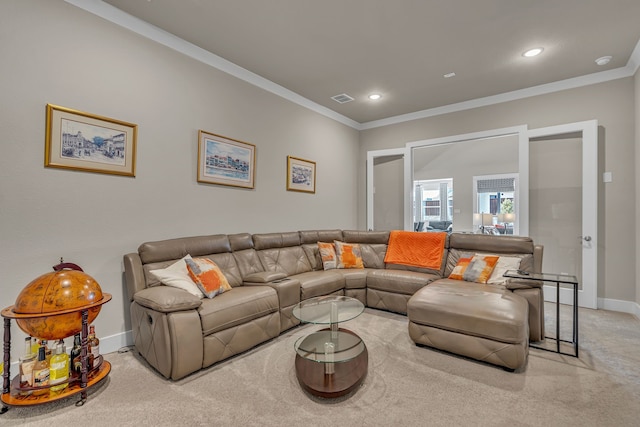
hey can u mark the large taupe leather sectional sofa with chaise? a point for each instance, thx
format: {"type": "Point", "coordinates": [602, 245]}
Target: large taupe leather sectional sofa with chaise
{"type": "Point", "coordinates": [179, 333]}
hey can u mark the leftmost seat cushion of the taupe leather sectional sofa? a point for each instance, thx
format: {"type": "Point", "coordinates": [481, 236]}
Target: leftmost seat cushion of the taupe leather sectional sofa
{"type": "Point", "coordinates": [237, 306]}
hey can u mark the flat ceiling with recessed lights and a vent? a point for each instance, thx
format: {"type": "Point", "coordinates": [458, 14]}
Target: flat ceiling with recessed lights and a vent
{"type": "Point", "coordinates": [402, 48]}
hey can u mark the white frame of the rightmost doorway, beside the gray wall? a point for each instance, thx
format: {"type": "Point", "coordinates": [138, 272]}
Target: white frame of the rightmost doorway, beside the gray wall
{"type": "Point", "coordinates": [588, 295]}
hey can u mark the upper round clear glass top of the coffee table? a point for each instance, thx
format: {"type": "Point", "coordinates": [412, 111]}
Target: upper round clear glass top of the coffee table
{"type": "Point", "coordinates": [319, 310]}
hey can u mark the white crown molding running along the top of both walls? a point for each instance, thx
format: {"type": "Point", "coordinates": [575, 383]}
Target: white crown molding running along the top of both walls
{"type": "Point", "coordinates": [123, 19]}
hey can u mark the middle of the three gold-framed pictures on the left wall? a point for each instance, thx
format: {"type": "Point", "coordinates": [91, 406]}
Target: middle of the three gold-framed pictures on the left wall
{"type": "Point", "coordinates": [225, 161]}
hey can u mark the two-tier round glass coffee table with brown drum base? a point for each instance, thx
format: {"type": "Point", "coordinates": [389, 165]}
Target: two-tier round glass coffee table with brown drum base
{"type": "Point", "coordinates": [331, 362]}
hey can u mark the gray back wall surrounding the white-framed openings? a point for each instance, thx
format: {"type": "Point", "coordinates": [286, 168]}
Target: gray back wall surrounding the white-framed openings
{"type": "Point", "coordinates": [611, 103]}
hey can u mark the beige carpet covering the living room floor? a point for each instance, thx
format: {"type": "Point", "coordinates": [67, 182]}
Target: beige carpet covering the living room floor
{"type": "Point", "coordinates": [407, 385]}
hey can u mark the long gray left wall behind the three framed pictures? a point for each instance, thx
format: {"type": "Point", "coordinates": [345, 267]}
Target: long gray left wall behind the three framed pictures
{"type": "Point", "coordinates": [53, 52]}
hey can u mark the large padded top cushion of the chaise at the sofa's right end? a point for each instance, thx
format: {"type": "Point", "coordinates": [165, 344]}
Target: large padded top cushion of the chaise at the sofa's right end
{"type": "Point", "coordinates": [473, 309]}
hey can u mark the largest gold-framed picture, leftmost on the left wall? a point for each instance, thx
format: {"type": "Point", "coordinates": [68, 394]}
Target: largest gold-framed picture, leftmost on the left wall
{"type": "Point", "coordinates": [87, 142]}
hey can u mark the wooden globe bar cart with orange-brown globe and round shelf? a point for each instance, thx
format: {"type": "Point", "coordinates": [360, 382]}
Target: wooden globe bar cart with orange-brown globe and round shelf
{"type": "Point", "coordinates": [13, 394]}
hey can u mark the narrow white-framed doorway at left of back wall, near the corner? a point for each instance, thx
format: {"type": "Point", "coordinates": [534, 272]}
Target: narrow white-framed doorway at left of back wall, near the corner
{"type": "Point", "coordinates": [387, 192]}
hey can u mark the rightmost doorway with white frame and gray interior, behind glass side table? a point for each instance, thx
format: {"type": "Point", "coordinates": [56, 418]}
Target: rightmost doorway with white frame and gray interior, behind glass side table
{"type": "Point", "coordinates": [563, 200]}
